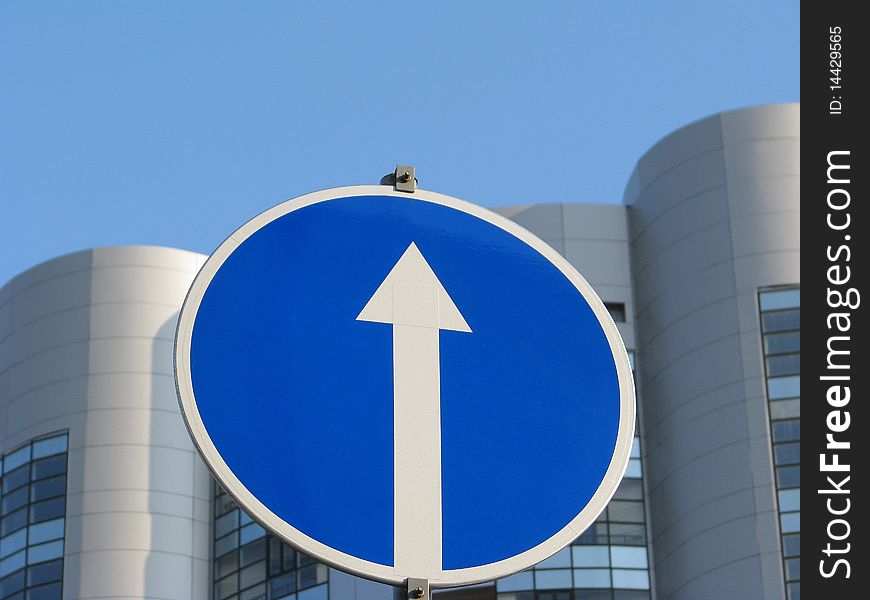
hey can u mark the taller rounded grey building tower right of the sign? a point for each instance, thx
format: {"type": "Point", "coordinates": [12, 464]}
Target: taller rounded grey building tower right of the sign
{"type": "Point", "coordinates": [715, 247]}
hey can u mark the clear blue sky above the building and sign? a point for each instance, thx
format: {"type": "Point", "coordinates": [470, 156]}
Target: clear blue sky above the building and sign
{"type": "Point", "coordinates": [172, 123]}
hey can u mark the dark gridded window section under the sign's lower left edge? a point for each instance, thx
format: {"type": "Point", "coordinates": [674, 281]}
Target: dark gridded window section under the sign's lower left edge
{"type": "Point", "coordinates": [250, 564]}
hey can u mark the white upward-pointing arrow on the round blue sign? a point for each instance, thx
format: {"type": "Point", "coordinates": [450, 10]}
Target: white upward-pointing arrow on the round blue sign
{"type": "Point", "coordinates": [414, 302]}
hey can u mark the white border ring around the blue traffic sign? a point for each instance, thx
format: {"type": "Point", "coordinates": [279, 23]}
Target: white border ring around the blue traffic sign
{"type": "Point", "coordinates": [347, 562]}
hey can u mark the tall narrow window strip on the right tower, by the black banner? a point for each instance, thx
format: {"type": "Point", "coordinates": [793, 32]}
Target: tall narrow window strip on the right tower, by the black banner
{"type": "Point", "coordinates": [779, 310]}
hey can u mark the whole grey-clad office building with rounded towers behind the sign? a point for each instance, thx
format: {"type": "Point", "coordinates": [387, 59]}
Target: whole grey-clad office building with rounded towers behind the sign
{"type": "Point", "coordinates": [103, 495]}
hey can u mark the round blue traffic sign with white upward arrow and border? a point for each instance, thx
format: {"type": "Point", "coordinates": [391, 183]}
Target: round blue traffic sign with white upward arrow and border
{"type": "Point", "coordinates": [405, 385]}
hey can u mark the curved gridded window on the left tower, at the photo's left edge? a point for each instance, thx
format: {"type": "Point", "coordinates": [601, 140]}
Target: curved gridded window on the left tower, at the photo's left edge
{"type": "Point", "coordinates": [32, 519]}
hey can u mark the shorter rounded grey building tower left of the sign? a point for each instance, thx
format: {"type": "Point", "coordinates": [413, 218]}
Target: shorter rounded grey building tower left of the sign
{"type": "Point", "coordinates": [103, 494]}
